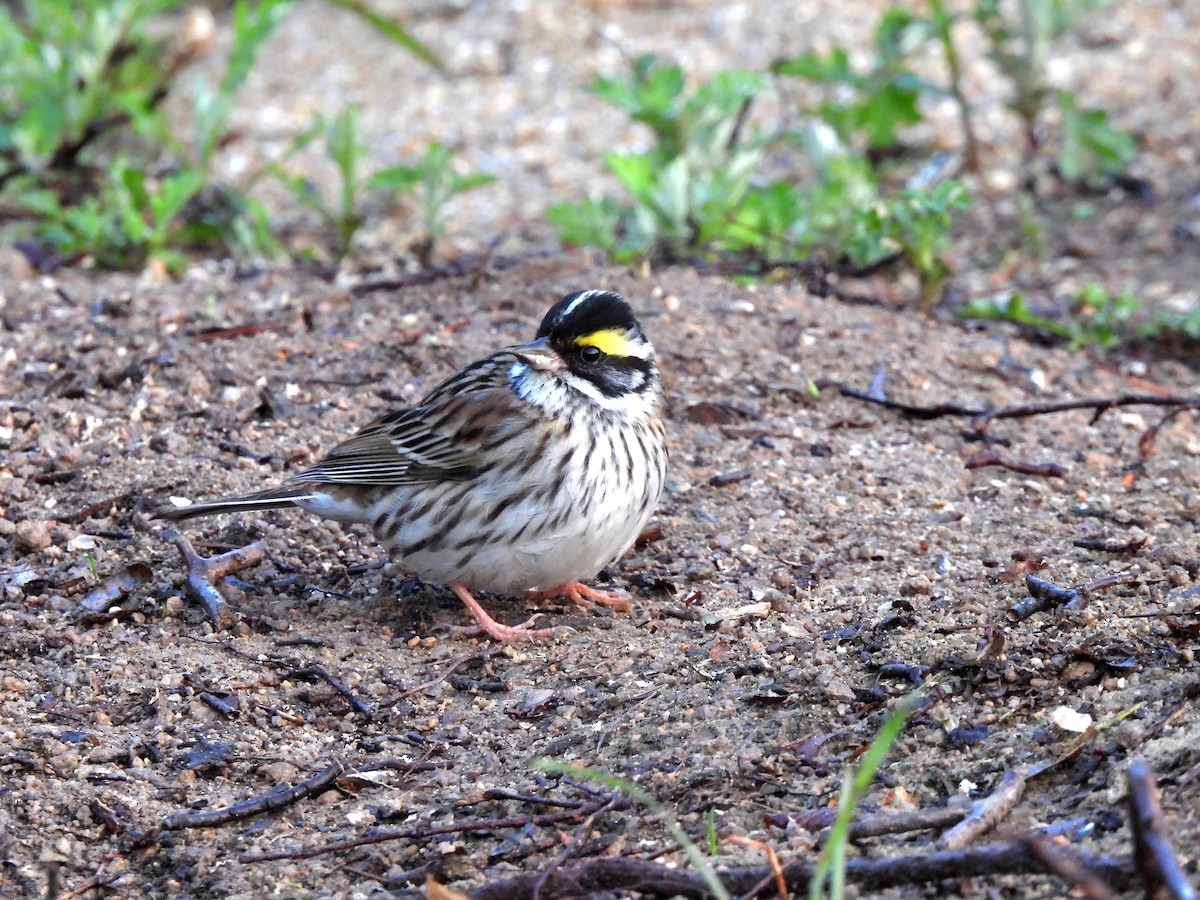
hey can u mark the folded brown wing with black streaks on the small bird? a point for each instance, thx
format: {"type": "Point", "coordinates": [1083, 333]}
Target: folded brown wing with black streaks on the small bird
{"type": "Point", "coordinates": [436, 441]}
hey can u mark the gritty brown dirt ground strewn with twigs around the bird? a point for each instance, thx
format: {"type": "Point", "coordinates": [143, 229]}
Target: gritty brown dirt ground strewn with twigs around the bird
{"type": "Point", "coordinates": [817, 557]}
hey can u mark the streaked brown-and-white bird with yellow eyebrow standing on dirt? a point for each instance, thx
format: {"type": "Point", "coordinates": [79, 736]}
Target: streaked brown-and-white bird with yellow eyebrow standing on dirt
{"type": "Point", "coordinates": [524, 475]}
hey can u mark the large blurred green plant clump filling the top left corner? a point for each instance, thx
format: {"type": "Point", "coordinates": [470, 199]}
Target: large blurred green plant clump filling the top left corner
{"type": "Point", "coordinates": [86, 149]}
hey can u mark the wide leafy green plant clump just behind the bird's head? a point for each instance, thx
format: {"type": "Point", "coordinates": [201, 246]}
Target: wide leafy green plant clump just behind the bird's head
{"type": "Point", "coordinates": [699, 191]}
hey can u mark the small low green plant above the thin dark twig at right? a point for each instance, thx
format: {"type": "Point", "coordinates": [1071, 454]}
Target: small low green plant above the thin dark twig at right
{"type": "Point", "coordinates": [1095, 317]}
